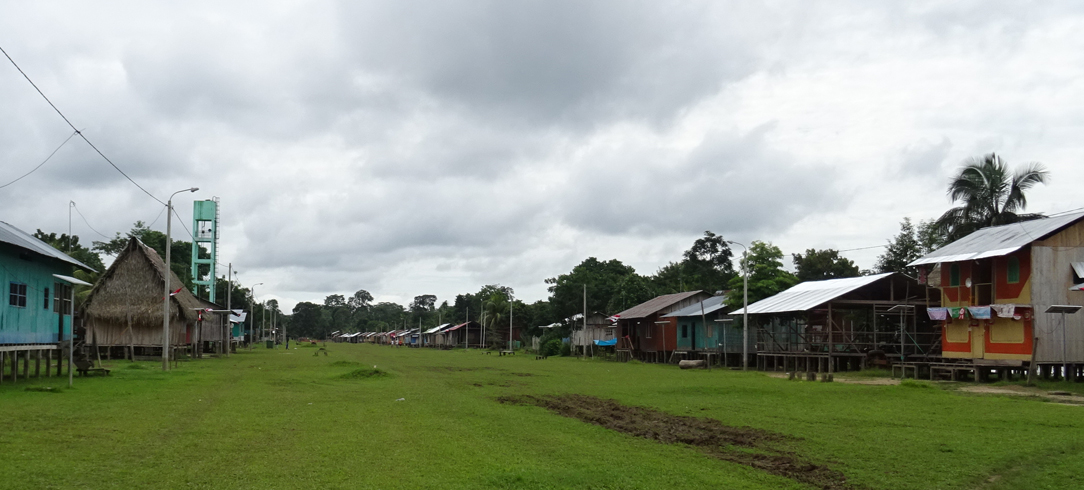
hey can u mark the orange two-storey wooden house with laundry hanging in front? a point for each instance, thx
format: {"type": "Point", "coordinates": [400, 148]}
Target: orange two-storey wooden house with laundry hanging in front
{"type": "Point", "coordinates": [998, 285]}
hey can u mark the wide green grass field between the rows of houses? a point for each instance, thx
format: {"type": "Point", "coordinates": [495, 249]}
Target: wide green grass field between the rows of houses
{"type": "Point", "coordinates": [275, 419]}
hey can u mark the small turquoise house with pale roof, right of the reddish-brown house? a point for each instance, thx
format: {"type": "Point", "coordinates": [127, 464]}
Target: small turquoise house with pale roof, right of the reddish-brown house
{"type": "Point", "coordinates": [706, 332]}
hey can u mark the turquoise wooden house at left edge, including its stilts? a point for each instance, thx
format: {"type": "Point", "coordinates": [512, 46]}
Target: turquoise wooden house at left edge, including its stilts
{"type": "Point", "coordinates": [35, 320]}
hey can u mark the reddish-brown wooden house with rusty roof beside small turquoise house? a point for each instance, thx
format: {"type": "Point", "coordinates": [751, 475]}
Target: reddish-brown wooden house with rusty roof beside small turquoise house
{"type": "Point", "coordinates": [644, 334]}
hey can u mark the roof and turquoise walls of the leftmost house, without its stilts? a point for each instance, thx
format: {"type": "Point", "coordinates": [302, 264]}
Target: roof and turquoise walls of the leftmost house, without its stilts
{"type": "Point", "coordinates": [35, 310]}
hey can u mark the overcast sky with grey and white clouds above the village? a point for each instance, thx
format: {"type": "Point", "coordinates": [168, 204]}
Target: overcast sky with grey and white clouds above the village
{"type": "Point", "coordinates": [432, 148]}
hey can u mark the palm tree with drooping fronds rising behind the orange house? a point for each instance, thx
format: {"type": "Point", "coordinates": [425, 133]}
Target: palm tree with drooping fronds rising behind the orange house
{"type": "Point", "coordinates": [990, 196]}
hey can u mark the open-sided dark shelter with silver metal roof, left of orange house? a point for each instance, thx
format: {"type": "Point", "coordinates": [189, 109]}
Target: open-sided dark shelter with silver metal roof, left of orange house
{"type": "Point", "coordinates": [846, 325]}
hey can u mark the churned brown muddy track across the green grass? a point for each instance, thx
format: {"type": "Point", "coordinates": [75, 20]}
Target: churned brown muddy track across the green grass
{"type": "Point", "coordinates": [756, 448]}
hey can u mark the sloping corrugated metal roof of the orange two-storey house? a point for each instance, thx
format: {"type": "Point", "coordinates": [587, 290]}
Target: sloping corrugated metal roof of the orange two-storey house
{"type": "Point", "coordinates": [999, 241]}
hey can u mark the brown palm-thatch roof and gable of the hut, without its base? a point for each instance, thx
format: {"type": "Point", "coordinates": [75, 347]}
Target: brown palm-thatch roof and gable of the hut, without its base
{"type": "Point", "coordinates": [135, 285]}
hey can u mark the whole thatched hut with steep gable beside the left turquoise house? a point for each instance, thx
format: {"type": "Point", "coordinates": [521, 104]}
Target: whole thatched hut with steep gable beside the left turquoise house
{"type": "Point", "coordinates": [125, 307]}
